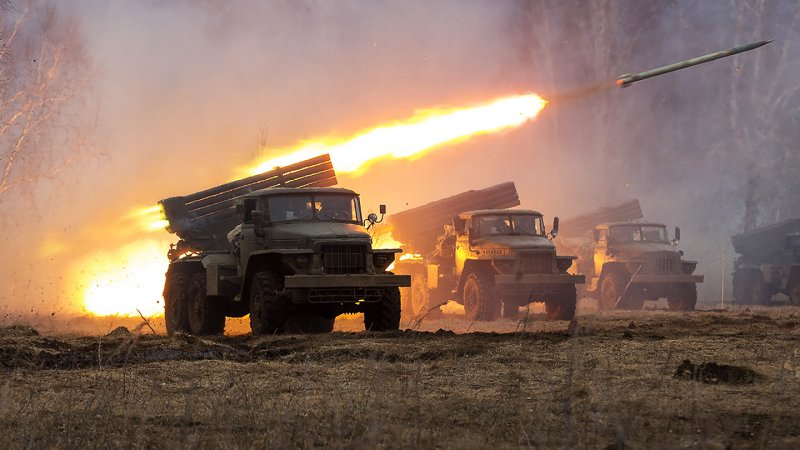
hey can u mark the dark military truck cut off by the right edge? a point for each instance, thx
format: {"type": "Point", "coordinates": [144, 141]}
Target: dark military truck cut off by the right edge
{"type": "Point", "coordinates": [768, 263]}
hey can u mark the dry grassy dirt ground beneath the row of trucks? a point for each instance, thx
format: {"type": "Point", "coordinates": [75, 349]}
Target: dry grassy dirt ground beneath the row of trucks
{"type": "Point", "coordinates": [647, 379]}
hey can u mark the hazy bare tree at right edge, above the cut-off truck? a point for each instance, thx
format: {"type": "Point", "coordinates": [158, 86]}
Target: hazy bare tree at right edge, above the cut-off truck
{"type": "Point", "coordinates": [764, 109]}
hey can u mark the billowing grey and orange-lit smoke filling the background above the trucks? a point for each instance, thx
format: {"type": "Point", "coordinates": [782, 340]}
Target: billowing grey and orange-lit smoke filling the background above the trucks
{"type": "Point", "coordinates": [187, 93]}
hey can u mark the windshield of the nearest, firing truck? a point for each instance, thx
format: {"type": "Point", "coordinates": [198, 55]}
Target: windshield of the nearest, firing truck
{"type": "Point", "coordinates": [325, 207]}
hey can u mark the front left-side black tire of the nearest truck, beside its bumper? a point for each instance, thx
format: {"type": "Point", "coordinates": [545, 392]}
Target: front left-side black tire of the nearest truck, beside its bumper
{"type": "Point", "coordinates": [268, 307]}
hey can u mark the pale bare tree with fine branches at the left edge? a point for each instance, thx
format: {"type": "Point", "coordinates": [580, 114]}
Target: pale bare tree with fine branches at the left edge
{"type": "Point", "coordinates": [44, 73]}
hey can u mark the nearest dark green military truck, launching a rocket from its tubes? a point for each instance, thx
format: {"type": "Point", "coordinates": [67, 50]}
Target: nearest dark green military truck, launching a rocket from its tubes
{"type": "Point", "coordinates": [284, 247]}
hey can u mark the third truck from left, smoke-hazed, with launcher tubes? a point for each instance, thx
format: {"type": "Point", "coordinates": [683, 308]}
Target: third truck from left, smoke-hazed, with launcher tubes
{"type": "Point", "coordinates": [629, 261]}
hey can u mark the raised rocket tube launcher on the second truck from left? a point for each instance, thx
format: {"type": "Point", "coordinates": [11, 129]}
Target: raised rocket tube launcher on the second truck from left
{"type": "Point", "coordinates": [419, 227]}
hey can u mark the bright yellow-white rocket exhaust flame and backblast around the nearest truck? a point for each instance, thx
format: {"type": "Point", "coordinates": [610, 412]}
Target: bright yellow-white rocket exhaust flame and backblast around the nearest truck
{"type": "Point", "coordinates": [131, 278]}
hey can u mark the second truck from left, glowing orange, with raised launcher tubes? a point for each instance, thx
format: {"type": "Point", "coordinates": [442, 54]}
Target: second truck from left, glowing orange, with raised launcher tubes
{"type": "Point", "coordinates": [492, 261]}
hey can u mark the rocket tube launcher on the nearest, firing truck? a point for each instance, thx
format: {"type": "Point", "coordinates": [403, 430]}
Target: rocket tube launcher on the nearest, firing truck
{"type": "Point", "coordinates": [203, 219]}
